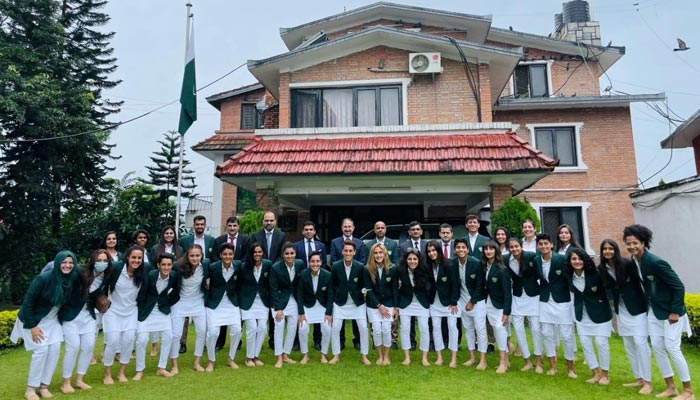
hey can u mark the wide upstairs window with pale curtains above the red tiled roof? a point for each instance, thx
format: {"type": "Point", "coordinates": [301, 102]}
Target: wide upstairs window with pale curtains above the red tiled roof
{"type": "Point", "coordinates": [347, 106]}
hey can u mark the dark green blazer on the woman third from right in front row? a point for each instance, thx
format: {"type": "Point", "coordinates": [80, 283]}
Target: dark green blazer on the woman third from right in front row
{"type": "Point", "coordinates": [593, 298]}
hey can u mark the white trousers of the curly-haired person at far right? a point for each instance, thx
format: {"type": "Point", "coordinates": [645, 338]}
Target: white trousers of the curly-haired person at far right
{"type": "Point", "coordinates": [667, 346]}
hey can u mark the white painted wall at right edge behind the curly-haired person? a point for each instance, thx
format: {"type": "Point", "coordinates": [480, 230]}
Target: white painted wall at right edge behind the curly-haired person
{"type": "Point", "coordinates": [673, 215]}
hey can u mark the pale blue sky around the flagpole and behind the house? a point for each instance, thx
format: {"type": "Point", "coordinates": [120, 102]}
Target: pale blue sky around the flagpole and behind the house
{"type": "Point", "coordinates": [150, 48]}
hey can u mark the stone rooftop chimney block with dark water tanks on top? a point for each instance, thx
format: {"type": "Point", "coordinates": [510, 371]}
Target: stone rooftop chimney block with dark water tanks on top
{"type": "Point", "coordinates": [574, 23]}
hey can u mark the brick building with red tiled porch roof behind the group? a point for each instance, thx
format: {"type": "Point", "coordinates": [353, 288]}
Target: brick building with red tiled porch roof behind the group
{"type": "Point", "coordinates": [351, 121]}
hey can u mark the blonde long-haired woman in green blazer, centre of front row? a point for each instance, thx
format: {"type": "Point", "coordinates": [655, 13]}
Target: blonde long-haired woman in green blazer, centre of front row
{"type": "Point", "coordinates": [382, 296]}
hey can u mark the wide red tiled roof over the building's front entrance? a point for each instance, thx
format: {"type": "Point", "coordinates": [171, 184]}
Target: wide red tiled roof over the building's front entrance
{"type": "Point", "coordinates": [482, 153]}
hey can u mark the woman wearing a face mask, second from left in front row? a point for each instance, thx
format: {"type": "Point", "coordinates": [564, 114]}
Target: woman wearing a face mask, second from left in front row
{"type": "Point", "coordinates": [79, 319]}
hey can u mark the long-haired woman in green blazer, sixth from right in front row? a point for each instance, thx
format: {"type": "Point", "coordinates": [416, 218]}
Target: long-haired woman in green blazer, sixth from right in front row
{"type": "Point", "coordinates": [499, 298]}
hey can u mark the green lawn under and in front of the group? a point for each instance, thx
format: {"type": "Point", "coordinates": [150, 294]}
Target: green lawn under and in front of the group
{"type": "Point", "coordinates": [349, 379]}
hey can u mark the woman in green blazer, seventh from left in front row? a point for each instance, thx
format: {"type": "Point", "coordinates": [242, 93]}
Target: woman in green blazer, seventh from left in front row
{"type": "Point", "coordinates": [254, 301]}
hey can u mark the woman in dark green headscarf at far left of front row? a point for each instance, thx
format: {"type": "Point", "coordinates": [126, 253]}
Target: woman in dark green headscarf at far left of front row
{"type": "Point", "coordinates": [38, 324]}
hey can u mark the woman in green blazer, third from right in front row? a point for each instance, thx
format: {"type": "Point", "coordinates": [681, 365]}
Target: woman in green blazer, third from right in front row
{"type": "Point", "coordinates": [592, 311]}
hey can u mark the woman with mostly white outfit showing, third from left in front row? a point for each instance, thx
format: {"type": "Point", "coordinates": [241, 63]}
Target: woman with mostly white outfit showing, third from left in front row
{"type": "Point", "coordinates": [120, 321]}
